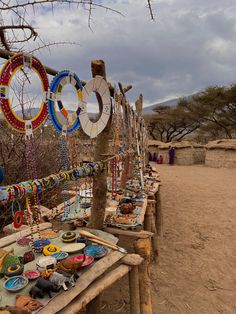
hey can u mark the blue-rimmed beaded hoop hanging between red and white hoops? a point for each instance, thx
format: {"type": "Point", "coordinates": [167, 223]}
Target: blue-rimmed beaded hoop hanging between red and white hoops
{"type": "Point", "coordinates": [54, 96]}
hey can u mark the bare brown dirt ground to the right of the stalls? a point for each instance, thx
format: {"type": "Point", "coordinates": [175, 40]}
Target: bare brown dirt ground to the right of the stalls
{"type": "Point", "coordinates": [197, 266]}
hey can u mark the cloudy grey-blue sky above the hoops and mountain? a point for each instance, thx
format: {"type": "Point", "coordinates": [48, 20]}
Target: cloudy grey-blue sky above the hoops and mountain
{"type": "Point", "coordinates": [191, 45]}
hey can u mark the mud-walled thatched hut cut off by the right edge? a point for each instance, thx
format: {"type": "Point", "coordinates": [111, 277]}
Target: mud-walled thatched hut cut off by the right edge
{"type": "Point", "coordinates": [221, 153]}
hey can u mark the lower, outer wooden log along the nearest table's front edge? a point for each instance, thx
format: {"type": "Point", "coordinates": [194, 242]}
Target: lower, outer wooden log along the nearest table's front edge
{"type": "Point", "coordinates": [95, 289]}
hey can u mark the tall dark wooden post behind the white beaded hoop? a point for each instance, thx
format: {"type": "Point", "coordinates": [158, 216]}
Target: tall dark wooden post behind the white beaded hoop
{"type": "Point", "coordinates": [102, 146]}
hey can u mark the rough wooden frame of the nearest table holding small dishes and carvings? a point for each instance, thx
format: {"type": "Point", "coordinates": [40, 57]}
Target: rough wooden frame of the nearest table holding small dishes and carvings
{"type": "Point", "coordinates": [92, 282]}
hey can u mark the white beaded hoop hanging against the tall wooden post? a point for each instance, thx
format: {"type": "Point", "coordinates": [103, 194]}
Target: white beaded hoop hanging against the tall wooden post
{"type": "Point", "coordinates": [98, 85]}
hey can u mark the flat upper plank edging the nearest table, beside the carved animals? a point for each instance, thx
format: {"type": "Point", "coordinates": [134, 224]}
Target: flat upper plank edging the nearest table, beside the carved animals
{"type": "Point", "coordinates": [60, 301]}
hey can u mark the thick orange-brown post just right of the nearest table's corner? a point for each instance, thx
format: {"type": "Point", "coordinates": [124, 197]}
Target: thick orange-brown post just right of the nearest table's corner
{"type": "Point", "coordinates": [143, 248]}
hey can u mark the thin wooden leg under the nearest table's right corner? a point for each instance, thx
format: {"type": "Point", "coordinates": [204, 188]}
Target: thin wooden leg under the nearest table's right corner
{"type": "Point", "coordinates": [134, 291]}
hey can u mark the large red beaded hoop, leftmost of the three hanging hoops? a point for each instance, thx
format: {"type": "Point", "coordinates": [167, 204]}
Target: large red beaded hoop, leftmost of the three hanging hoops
{"type": "Point", "coordinates": [15, 63]}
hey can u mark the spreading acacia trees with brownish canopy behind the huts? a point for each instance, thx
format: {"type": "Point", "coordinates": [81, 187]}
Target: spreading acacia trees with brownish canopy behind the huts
{"type": "Point", "coordinates": [208, 115]}
